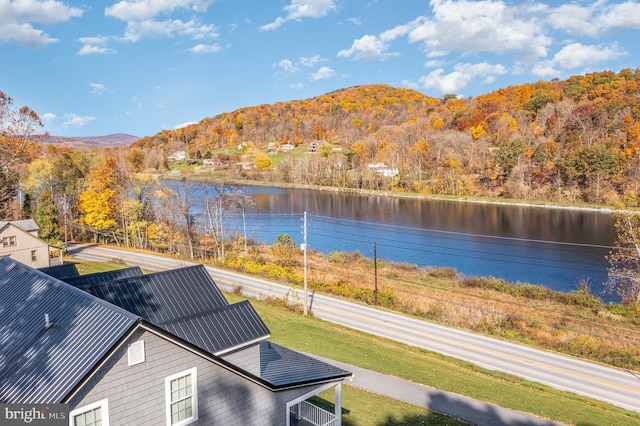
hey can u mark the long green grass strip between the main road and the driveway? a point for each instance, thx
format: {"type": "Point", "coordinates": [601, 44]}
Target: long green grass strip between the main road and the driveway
{"type": "Point", "coordinates": [322, 338]}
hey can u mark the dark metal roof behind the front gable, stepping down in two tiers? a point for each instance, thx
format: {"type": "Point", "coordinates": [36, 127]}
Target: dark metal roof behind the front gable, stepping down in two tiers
{"type": "Point", "coordinates": [187, 303]}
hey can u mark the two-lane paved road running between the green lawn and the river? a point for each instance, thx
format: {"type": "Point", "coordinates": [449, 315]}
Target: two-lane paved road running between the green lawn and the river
{"type": "Point", "coordinates": [618, 387]}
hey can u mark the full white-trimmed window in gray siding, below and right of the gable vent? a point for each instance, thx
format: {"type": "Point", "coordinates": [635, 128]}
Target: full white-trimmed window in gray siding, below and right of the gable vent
{"type": "Point", "coordinates": [181, 394]}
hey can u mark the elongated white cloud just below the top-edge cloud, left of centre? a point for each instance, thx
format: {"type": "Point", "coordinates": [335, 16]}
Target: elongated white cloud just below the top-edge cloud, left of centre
{"type": "Point", "coordinates": [138, 30]}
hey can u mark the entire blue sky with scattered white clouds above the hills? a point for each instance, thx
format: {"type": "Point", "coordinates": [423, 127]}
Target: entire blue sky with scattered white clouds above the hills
{"type": "Point", "coordinates": [92, 68]}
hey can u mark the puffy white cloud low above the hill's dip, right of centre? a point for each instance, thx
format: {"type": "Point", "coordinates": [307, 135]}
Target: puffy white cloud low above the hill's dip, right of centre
{"type": "Point", "coordinates": [460, 77]}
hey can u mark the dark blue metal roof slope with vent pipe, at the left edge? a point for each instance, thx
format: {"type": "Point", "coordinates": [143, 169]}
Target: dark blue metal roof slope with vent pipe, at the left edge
{"type": "Point", "coordinates": [39, 364]}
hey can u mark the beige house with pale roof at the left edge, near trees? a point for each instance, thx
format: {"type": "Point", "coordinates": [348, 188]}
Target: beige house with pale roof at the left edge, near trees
{"type": "Point", "coordinates": [19, 240]}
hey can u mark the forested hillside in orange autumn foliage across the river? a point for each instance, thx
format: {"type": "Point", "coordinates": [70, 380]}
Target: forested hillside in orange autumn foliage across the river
{"type": "Point", "coordinates": [575, 140]}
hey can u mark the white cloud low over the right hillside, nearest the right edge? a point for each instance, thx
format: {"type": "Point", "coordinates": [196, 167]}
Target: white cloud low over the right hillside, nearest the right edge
{"type": "Point", "coordinates": [576, 55]}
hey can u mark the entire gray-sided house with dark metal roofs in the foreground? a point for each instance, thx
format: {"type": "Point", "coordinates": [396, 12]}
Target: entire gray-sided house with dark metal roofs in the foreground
{"type": "Point", "coordinates": [159, 349]}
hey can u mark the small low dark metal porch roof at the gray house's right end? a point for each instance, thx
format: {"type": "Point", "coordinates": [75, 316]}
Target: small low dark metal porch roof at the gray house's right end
{"type": "Point", "coordinates": [283, 367]}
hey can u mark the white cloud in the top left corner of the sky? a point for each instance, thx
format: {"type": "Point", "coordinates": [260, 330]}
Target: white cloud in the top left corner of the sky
{"type": "Point", "coordinates": [17, 19]}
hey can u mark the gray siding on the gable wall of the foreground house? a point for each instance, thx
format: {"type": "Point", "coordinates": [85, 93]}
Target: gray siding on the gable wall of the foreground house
{"type": "Point", "coordinates": [137, 392]}
